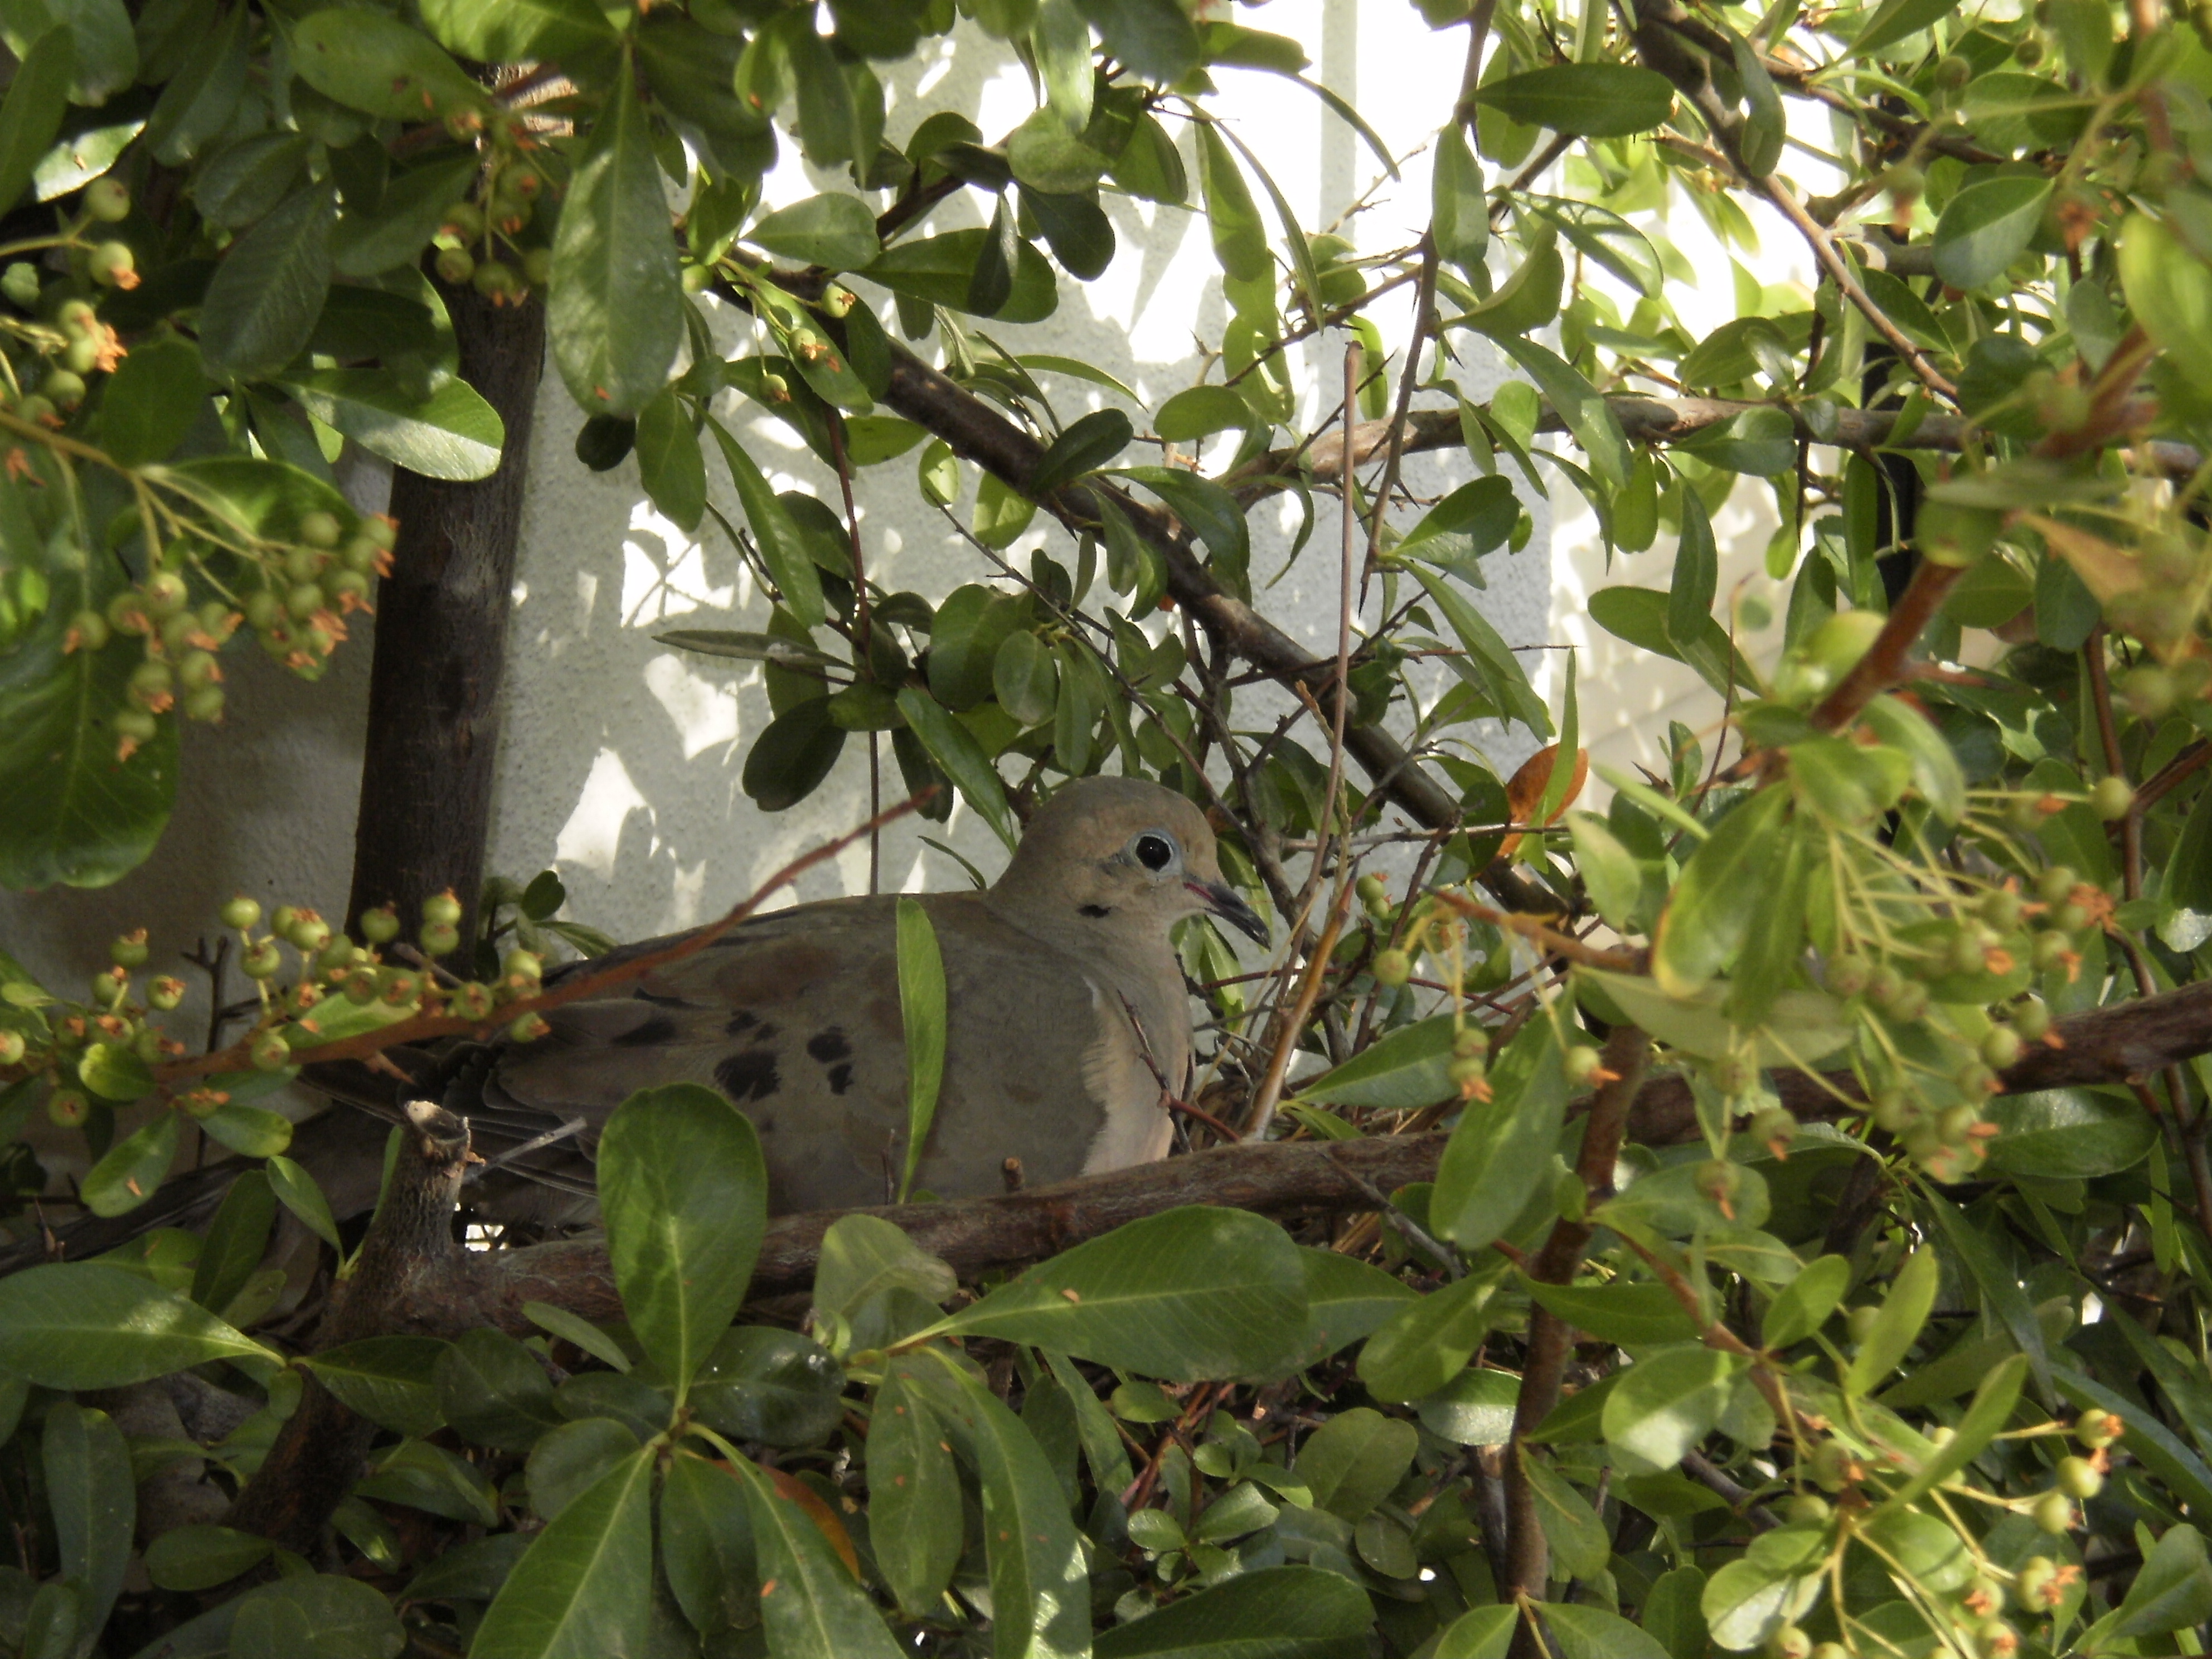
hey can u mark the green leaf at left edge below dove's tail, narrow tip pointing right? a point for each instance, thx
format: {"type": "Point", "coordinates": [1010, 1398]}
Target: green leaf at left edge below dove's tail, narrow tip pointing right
{"type": "Point", "coordinates": [87, 1326]}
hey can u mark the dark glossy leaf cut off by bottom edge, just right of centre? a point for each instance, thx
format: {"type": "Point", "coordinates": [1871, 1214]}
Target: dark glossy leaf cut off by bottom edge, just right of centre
{"type": "Point", "coordinates": [1269, 1614]}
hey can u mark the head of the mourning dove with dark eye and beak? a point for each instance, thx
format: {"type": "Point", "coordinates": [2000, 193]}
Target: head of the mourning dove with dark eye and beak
{"type": "Point", "coordinates": [1120, 855]}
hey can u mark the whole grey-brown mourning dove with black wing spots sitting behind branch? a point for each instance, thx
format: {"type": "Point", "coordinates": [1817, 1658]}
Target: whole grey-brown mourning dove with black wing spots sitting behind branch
{"type": "Point", "coordinates": [1067, 1016]}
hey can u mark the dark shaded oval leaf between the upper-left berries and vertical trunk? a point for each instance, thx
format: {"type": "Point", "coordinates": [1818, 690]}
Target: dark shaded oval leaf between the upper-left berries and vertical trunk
{"type": "Point", "coordinates": [267, 295]}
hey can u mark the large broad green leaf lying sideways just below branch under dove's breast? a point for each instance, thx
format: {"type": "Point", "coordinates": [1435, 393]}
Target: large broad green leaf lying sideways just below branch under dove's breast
{"type": "Point", "coordinates": [1185, 1295]}
